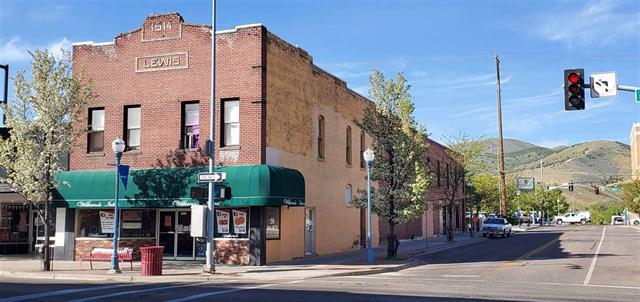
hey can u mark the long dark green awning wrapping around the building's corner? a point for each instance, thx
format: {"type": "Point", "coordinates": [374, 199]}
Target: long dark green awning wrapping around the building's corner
{"type": "Point", "coordinates": [257, 185]}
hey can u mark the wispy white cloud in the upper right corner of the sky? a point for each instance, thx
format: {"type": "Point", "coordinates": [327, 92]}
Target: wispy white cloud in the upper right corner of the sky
{"type": "Point", "coordinates": [598, 22]}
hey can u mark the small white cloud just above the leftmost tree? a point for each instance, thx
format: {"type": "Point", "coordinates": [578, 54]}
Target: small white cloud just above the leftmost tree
{"type": "Point", "coordinates": [15, 50]}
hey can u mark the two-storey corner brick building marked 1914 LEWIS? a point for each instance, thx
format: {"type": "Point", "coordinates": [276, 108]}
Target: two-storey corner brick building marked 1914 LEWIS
{"type": "Point", "coordinates": [284, 135]}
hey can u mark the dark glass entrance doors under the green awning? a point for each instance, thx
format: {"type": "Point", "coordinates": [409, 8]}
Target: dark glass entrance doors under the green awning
{"type": "Point", "coordinates": [174, 234]}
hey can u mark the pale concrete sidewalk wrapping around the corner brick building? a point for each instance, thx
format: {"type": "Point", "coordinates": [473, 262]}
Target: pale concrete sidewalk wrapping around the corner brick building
{"type": "Point", "coordinates": [342, 264]}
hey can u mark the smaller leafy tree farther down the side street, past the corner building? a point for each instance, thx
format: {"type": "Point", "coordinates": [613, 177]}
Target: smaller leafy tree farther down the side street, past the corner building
{"type": "Point", "coordinates": [465, 151]}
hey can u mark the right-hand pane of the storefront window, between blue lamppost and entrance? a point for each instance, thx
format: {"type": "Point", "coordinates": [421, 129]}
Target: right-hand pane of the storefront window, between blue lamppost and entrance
{"type": "Point", "coordinates": [138, 223]}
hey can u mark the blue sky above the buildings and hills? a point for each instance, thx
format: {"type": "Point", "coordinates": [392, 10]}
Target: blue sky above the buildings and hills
{"type": "Point", "coordinates": [444, 48]}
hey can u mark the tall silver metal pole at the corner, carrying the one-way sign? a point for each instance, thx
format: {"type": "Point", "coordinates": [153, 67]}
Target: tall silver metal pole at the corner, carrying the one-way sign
{"type": "Point", "coordinates": [209, 266]}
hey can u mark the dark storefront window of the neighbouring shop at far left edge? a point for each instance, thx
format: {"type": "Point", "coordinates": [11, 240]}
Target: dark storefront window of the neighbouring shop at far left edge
{"type": "Point", "coordinates": [14, 223]}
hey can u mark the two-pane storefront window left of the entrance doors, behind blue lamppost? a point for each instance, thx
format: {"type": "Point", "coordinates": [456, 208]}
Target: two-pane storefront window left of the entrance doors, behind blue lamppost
{"type": "Point", "coordinates": [133, 223]}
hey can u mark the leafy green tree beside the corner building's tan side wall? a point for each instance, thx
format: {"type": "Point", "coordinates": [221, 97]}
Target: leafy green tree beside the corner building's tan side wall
{"type": "Point", "coordinates": [399, 142]}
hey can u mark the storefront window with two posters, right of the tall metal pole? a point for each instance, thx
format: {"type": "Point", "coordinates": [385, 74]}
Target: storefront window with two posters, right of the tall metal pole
{"type": "Point", "coordinates": [232, 223]}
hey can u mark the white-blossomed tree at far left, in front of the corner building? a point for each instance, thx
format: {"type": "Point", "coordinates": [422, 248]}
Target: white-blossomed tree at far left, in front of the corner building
{"type": "Point", "coordinates": [41, 121]}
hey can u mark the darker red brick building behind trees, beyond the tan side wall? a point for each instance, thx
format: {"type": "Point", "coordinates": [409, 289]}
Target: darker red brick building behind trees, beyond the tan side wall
{"type": "Point", "coordinates": [434, 221]}
